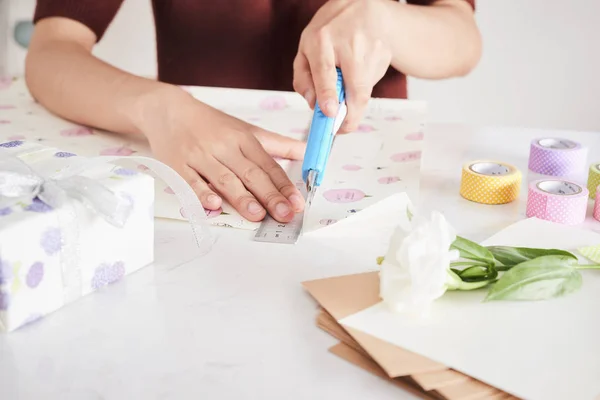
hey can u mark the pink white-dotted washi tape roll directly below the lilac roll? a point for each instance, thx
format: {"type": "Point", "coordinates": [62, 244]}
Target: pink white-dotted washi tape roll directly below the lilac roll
{"type": "Point", "coordinates": [558, 201]}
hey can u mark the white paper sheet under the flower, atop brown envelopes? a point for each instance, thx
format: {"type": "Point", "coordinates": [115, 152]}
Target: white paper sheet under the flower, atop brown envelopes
{"type": "Point", "coordinates": [535, 350]}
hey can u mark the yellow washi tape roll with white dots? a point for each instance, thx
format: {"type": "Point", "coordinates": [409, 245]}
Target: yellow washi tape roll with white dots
{"type": "Point", "coordinates": [490, 182]}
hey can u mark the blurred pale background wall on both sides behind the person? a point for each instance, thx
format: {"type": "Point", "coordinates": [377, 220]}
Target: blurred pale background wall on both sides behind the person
{"type": "Point", "coordinates": [540, 67]}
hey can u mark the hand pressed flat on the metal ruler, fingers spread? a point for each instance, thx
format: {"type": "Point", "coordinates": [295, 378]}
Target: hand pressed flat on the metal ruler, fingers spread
{"type": "Point", "coordinates": [222, 157]}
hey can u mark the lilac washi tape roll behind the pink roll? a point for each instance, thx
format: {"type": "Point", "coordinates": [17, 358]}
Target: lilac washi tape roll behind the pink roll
{"type": "Point", "coordinates": [557, 157]}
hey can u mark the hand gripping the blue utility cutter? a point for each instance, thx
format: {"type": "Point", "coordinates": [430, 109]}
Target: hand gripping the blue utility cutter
{"type": "Point", "coordinates": [348, 34]}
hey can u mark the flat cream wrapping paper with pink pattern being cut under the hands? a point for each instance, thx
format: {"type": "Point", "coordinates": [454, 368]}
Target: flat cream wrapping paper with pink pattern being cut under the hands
{"type": "Point", "coordinates": [380, 159]}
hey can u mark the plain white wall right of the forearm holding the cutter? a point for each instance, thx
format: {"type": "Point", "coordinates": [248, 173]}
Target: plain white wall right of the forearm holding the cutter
{"type": "Point", "coordinates": [540, 68]}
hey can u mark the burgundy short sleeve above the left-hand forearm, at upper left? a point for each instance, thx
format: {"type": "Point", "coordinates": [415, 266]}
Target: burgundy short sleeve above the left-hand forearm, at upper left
{"type": "Point", "coordinates": [95, 14]}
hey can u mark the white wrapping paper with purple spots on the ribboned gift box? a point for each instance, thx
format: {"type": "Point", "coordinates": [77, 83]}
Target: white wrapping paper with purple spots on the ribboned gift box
{"type": "Point", "coordinates": [33, 237]}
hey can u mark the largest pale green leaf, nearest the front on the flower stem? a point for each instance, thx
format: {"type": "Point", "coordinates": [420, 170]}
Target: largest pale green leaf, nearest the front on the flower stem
{"type": "Point", "coordinates": [538, 279]}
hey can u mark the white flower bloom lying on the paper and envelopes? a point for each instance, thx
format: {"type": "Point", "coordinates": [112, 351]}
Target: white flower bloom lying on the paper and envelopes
{"type": "Point", "coordinates": [416, 269]}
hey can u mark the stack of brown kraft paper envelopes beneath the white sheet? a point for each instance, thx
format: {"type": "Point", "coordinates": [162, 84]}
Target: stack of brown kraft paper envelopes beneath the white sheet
{"type": "Point", "coordinates": [345, 295]}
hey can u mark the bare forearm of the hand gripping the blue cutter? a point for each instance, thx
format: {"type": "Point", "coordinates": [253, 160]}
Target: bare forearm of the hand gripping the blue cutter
{"type": "Point", "coordinates": [432, 42]}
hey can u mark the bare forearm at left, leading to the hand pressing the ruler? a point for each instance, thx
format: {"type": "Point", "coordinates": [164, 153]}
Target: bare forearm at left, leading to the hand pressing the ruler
{"type": "Point", "coordinates": [68, 80]}
